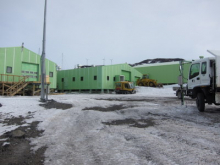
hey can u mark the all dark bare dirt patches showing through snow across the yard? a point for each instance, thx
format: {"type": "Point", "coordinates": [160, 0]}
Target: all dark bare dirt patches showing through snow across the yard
{"type": "Point", "coordinates": [16, 148]}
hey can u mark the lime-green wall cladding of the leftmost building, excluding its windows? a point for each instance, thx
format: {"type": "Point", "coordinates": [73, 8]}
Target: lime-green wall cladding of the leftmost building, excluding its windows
{"type": "Point", "coordinates": [16, 56]}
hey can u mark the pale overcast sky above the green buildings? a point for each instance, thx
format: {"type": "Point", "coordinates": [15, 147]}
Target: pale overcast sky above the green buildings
{"type": "Point", "coordinates": [112, 31]}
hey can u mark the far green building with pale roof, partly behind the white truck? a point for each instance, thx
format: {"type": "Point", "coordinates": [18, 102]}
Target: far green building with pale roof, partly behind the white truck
{"type": "Point", "coordinates": [165, 73]}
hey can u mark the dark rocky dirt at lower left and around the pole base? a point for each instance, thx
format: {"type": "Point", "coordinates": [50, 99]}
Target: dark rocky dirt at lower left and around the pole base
{"type": "Point", "coordinates": [15, 148]}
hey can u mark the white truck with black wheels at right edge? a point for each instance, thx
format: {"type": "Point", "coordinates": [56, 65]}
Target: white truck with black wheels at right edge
{"type": "Point", "coordinates": [203, 81]}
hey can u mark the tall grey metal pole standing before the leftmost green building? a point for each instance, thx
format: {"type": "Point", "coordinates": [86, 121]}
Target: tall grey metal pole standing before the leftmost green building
{"type": "Point", "coordinates": [43, 57]}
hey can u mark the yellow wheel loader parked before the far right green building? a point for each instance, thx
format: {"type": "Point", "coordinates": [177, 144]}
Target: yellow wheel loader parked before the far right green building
{"type": "Point", "coordinates": [146, 81]}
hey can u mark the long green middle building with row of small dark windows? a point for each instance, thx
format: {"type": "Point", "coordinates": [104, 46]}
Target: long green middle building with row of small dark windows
{"type": "Point", "coordinates": [98, 78]}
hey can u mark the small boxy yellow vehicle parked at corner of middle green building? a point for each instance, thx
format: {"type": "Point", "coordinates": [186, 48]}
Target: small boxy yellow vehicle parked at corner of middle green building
{"type": "Point", "coordinates": [124, 87]}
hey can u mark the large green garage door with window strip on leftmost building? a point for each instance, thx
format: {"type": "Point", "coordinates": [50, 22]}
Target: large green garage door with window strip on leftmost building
{"type": "Point", "coordinates": [30, 70]}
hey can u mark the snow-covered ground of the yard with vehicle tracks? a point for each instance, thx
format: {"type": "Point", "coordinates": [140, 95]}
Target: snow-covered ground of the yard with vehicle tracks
{"type": "Point", "coordinates": [149, 127]}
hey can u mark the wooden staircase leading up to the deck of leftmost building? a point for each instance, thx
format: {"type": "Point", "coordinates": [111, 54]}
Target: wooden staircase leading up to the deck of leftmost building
{"type": "Point", "coordinates": [17, 87]}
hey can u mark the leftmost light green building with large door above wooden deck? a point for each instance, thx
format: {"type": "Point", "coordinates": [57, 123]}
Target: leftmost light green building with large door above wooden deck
{"type": "Point", "coordinates": [16, 62]}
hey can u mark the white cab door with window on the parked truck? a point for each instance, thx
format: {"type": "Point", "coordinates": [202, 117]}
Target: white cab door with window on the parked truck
{"type": "Point", "coordinates": [194, 76]}
